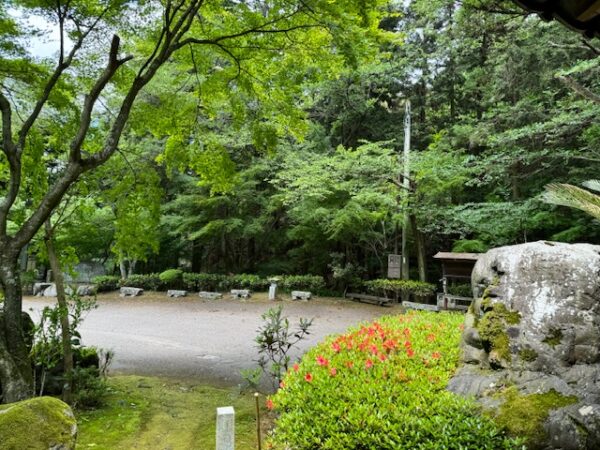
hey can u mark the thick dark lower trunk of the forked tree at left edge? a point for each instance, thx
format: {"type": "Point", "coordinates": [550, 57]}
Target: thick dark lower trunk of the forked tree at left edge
{"type": "Point", "coordinates": [16, 374]}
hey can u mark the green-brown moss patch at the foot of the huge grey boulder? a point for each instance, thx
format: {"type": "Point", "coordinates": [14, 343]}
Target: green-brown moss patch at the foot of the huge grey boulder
{"type": "Point", "coordinates": [524, 415]}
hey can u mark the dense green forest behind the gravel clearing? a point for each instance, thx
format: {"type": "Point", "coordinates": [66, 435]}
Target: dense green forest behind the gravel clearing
{"type": "Point", "coordinates": [502, 104]}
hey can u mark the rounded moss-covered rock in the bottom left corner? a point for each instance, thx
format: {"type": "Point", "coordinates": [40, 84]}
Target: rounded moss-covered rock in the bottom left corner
{"type": "Point", "coordinates": [37, 423]}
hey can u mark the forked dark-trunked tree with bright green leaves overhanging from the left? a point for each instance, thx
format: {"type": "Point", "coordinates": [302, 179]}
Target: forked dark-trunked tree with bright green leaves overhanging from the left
{"type": "Point", "coordinates": [53, 121]}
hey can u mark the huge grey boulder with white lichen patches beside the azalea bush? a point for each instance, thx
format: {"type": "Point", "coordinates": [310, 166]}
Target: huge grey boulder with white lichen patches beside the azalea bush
{"type": "Point", "coordinates": [535, 325]}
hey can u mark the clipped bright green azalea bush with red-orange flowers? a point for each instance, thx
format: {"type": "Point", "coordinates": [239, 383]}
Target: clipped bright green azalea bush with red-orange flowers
{"type": "Point", "coordinates": [382, 386]}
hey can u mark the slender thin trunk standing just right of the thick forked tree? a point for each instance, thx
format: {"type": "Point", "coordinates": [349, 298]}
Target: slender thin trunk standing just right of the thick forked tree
{"type": "Point", "coordinates": [64, 314]}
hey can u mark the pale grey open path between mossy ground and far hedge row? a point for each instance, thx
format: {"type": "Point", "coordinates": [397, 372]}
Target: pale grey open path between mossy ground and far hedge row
{"type": "Point", "coordinates": [194, 338]}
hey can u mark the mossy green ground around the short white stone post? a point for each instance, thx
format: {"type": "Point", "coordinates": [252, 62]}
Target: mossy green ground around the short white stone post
{"type": "Point", "coordinates": [154, 413]}
